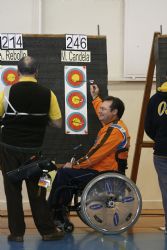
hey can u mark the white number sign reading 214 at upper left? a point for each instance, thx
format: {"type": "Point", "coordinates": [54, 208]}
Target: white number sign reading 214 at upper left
{"type": "Point", "coordinates": [11, 41]}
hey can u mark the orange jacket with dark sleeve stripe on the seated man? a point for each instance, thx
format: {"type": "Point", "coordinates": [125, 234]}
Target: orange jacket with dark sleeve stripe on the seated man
{"type": "Point", "coordinates": [110, 138]}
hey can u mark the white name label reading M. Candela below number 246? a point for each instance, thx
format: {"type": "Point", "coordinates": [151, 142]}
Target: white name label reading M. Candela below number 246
{"type": "Point", "coordinates": [75, 56]}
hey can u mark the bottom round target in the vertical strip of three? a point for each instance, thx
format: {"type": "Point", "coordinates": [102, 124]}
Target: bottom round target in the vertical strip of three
{"type": "Point", "coordinates": [76, 122]}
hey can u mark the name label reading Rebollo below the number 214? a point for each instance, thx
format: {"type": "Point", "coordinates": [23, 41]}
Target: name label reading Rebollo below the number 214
{"type": "Point", "coordinates": [12, 55]}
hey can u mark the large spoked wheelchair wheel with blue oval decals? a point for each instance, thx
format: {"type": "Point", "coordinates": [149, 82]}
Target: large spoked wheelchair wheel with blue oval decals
{"type": "Point", "coordinates": [110, 203]}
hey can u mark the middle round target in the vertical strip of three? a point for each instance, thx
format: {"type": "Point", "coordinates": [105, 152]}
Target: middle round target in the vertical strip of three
{"type": "Point", "coordinates": [76, 99]}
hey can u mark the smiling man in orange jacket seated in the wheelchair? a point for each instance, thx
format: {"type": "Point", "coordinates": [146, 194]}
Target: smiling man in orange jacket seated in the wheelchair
{"type": "Point", "coordinates": [109, 153]}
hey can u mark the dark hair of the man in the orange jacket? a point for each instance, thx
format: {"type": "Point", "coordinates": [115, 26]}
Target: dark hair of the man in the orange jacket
{"type": "Point", "coordinates": [116, 104]}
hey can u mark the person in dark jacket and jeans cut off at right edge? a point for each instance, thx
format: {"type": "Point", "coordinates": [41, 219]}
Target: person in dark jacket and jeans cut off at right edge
{"type": "Point", "coordinates": [156, 129]}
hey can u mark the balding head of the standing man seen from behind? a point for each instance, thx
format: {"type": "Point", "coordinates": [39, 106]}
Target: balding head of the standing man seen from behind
{"type": "Point", "coordinates": [27, 66]}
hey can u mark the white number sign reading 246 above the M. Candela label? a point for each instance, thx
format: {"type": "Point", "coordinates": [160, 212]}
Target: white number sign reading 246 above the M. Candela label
{"type": "Point", "coordinates": [76, 42]}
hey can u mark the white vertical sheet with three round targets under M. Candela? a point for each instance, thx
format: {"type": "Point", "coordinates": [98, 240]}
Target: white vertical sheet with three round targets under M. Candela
{"type": "Point", "coordinates": [75, 100]}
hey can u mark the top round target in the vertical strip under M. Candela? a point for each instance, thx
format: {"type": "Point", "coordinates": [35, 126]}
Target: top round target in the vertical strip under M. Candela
{"type": "Point", "coordinates": [75, 78]}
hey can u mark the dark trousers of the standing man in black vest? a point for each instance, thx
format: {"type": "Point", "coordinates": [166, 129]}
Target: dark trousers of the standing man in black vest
{"type": "Point", "coordinates": [11, 159]}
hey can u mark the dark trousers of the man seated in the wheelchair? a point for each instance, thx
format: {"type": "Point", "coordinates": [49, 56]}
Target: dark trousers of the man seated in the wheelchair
{"type": "Point", "coordinates": [60, 197]}
